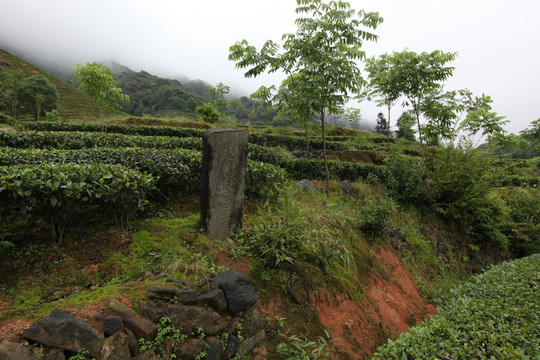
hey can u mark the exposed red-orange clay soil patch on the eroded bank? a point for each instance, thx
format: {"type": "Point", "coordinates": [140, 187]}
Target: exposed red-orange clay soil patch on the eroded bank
{"type": "Point", "coordinates": [391, 306]}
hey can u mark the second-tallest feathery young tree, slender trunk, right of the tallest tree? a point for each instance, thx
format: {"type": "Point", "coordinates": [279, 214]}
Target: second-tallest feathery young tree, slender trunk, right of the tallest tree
{"type": "Point", "coordinates": [419, 75]}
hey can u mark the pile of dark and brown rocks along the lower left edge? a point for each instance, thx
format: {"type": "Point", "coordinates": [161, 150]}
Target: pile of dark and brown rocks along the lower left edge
{"type": "Point", "coordinates": [220, 323]}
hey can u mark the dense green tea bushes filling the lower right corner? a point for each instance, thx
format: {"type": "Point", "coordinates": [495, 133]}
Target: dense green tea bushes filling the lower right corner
{"type": "Point", "coordinates": [494, 316]}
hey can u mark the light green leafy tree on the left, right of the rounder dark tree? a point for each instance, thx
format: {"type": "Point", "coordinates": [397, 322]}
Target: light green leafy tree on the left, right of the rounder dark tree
{"type": "Point", "coordinates": [97, 81]}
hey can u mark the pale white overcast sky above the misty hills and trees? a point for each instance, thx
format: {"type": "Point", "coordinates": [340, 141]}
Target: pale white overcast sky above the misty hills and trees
{"type": "Point", "coordinates": [497, 40]}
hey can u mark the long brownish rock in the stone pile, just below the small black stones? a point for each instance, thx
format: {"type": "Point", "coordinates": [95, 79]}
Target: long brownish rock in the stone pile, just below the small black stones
{"type": "Point", "coordinates": [187, 318]}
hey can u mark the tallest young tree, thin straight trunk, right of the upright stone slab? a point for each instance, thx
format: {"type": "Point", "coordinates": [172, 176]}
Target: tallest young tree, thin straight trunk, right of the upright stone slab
{"type": "Point", "coordinates": [324, 51]}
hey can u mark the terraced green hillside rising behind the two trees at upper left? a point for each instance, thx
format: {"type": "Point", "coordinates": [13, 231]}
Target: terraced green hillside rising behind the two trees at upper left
{"type": "Point", "coordinates": [73, 104]}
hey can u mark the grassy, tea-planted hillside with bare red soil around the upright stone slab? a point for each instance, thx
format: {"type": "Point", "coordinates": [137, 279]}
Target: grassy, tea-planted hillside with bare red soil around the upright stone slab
{"type": "Point", "coordinates": [363, 263]}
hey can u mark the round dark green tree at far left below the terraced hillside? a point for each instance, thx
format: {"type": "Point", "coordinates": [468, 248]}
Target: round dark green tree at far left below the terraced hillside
{"type": "Point", "coordinates": [37, 96]}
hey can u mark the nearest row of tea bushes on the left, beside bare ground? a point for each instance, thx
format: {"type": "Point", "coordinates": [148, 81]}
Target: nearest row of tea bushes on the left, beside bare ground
{"type": "Point", "coordinates": [61, 194]}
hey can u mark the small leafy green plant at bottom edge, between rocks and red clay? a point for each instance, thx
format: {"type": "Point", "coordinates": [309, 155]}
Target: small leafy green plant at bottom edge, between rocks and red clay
{"type": "Point", "coordinates": [298, 349]}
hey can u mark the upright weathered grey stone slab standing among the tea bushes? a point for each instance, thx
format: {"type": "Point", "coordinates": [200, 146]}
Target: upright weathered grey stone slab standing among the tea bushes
{"type": "Point", "coordinates": [222, 183]}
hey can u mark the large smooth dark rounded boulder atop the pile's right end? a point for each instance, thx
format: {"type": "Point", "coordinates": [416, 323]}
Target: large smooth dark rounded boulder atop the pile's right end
{"type": "Point", "coordinates": [239, 294]}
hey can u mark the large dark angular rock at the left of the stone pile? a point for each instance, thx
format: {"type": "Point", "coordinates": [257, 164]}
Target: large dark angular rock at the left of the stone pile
{"type": "Point", "coordinates": [61, 330]}
